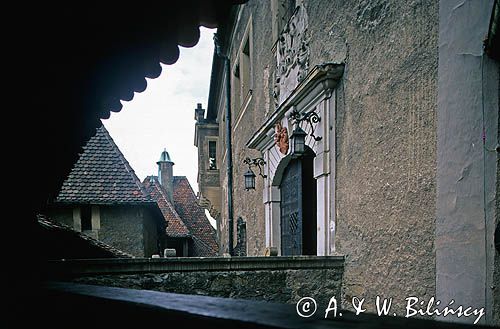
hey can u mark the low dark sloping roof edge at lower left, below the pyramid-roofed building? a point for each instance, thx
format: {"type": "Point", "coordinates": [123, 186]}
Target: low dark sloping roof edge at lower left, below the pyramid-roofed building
{"type": "Point", "coordinates": [67, 234]}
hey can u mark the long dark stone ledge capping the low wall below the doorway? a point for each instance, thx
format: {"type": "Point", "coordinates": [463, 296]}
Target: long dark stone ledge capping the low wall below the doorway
{"type": "Point", "coordinates": [80, 267]}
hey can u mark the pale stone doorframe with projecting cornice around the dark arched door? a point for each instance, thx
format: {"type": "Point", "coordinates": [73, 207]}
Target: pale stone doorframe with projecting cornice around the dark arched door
{"type": "Point", "coordinates": [313, 93]}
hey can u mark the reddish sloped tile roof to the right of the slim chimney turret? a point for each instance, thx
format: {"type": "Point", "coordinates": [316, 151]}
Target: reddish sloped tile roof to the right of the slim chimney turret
{"type": "Point", "coordinates": [193, 216]}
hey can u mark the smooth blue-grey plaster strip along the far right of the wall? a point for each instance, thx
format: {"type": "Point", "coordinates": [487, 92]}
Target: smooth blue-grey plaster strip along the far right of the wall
{"type": "Point", "coordinates": [466, 174]}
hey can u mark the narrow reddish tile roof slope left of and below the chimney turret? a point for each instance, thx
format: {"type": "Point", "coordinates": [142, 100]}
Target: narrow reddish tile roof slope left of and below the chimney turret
{"type": "Point", "coordinates": [175, 226]}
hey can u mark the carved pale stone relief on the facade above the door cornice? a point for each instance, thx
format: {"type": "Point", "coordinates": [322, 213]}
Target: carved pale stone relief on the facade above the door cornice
{"type": "Point", "coordinates": [292, 56]}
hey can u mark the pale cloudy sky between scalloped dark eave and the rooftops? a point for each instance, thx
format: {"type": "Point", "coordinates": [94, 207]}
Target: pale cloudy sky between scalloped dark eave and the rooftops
{"type": "Point", "coordinates": [162, 116]}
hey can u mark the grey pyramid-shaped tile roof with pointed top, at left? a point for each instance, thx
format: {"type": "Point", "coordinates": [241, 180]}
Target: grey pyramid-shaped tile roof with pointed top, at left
{"type": "Point", "coordinates": [102, 175]}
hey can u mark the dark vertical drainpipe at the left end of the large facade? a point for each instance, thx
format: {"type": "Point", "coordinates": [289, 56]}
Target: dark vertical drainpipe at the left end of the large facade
{"type": "Point", "coordinates": [228, 142]}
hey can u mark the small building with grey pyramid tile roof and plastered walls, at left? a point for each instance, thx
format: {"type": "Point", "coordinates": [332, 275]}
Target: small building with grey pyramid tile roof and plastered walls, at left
{"type": "Point", "coordinates": [103, 198]}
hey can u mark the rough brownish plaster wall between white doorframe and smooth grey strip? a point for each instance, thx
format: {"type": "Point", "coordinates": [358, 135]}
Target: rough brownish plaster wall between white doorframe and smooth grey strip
{"type": "Point", "coordinates": [386, 142]}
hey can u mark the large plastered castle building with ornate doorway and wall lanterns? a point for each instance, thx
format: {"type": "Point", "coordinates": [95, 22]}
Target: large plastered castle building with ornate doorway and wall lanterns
{"type": "Point", "coordinates": [367, 129]}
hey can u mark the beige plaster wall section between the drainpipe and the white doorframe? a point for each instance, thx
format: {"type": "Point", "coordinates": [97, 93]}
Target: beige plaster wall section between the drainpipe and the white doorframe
{"type": "Point", "coordinates": [248, 204]}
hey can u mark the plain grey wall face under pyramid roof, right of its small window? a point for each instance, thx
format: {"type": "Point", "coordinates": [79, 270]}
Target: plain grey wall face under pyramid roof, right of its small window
{"type": "Point", "coordinates": [122, 228]}
